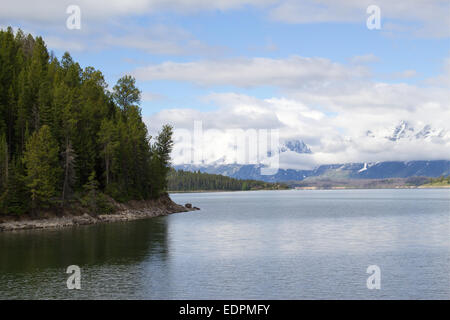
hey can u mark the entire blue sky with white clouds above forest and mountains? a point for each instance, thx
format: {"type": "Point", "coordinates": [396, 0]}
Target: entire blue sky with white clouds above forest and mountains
{"type": "Point", "coordinates": [312, 70]}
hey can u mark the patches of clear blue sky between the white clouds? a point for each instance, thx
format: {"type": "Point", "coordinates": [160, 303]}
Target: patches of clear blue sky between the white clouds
{"type": "Point", "coordinates": [249, 33]}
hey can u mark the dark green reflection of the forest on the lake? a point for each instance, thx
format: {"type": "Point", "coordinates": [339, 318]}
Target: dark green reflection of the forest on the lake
{"type": "Point", "coordinates": [115, 243]}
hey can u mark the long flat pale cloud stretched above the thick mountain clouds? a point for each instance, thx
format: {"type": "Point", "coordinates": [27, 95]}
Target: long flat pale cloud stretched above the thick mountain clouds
{"type": "Point", "coordinates": [249, 72]}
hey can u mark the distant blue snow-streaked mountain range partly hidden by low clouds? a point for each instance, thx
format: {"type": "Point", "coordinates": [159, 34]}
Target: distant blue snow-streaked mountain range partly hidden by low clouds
{"type": "Point", "coordinates": [360, 170]}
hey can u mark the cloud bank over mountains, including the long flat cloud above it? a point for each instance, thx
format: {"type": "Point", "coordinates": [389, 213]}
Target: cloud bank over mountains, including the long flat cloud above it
{"type": "Point", "coordinates": [340, 112]}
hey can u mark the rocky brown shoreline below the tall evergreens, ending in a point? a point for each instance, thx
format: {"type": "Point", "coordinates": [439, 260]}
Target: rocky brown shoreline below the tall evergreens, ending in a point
{"type": "Point", "coordinates": [133, 210]}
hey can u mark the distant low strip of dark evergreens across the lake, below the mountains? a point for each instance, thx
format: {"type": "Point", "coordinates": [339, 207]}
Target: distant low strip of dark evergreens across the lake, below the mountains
{"type": "Point", "coordinates": [179, 180]}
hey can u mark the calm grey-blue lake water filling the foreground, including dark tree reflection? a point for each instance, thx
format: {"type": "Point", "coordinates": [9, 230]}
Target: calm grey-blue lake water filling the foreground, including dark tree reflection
{"type": "Point", "coordinates": [247, 245]}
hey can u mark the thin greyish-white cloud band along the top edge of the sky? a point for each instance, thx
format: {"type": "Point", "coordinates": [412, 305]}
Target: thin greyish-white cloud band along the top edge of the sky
{"type": "Point", "coordinates": [425, 18]}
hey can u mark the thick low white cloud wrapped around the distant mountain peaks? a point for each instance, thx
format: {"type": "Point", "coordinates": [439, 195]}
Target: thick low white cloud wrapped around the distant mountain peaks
{"type": "Point", "coordinates": [333, 138]}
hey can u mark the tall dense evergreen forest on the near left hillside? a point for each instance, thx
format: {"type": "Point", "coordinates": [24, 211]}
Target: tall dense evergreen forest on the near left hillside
{"type": "Point", "coordinates": [64, 137]}
